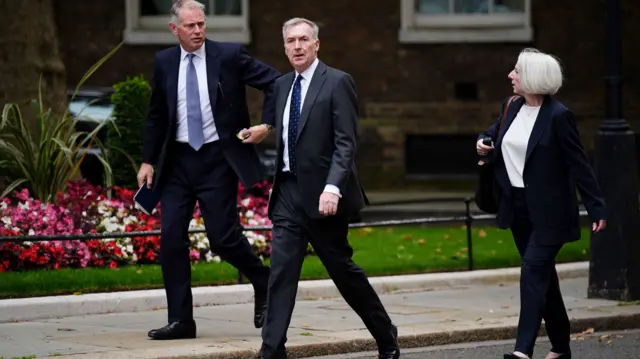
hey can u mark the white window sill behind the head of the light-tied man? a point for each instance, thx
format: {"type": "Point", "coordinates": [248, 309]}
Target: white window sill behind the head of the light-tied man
{"type": "Point", "coordinates": [165, 37]}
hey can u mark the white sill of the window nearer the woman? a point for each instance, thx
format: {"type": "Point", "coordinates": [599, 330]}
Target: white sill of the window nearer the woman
{"type": "Point", "coordinates": [440, 36]}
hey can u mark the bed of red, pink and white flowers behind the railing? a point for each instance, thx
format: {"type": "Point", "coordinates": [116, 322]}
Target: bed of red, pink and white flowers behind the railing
{"type": "Point", "coordinates": [87, 209]}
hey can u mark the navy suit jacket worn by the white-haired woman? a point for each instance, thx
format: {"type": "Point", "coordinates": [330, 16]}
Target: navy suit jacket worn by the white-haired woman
{"type": "Point", "coordinates": [555, 165]}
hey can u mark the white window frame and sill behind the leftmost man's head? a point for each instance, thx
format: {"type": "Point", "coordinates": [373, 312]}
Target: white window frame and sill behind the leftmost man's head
{"type": "Point", "coordinates": [154, 30]}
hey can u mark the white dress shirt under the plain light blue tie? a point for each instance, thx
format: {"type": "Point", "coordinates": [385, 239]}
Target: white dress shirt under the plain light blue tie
{"type": "Point", "coordinates": [208, 125]}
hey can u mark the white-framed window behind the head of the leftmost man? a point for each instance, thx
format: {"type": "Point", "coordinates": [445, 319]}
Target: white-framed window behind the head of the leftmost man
{"type": "Point", "coordinates": [147, 21]}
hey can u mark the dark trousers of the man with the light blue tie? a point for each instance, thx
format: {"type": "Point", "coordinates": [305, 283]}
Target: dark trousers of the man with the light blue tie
{"type": "Point", "coordinates": [204, 176]}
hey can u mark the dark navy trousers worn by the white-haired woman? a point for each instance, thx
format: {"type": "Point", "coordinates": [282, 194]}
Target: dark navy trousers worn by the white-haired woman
{"type": "Point", "coordinates": [540, 296]}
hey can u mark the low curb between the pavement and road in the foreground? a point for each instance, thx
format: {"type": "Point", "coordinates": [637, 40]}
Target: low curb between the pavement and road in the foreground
{"type": "Point", "coordinates": [599, 324]}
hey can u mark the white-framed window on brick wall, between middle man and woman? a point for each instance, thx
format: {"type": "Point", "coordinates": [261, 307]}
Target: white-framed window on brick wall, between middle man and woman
{"type": "Point", "coordinates": [447, 21]}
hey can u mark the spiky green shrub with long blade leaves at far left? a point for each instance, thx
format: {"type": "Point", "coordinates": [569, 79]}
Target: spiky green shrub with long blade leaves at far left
{"type": "Point", "coordinates": [41, 150]}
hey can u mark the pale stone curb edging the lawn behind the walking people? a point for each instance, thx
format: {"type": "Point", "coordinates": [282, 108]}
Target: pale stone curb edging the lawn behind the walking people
{"type": "Point", "coordinates": [25, 309]}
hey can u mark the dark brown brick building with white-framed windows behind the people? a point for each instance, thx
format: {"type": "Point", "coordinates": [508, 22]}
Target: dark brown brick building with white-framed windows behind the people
{"type": "Point", "coordinates": [430, 73]}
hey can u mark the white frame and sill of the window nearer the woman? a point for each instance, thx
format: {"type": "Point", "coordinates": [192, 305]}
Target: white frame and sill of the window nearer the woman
{"type": "Point", "coordinates": [475, 28]}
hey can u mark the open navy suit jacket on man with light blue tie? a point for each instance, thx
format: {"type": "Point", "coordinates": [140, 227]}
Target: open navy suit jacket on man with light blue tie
{"type": "Point", "coordinates": [229, 69]}
